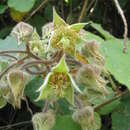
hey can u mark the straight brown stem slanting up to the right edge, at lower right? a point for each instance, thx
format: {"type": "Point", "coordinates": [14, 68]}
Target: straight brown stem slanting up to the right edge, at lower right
{"type": "Point", "coordinates": [111, 100]}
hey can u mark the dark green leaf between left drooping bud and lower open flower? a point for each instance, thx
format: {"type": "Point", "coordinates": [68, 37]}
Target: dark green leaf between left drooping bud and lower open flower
{"type": "Point", "coordinates": [31, 88]}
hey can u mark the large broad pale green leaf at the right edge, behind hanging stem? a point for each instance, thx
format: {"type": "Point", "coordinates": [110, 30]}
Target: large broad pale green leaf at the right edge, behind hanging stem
{"type": "Point", "coordinates": [117, 63]}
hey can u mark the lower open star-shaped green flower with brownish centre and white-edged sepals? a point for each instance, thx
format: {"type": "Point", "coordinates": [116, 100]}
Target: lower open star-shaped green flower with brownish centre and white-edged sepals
{"type": "Point", "coordinates": [59, 83]}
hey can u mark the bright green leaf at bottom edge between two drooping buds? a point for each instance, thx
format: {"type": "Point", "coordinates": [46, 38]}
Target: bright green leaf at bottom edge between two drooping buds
{"type": "Point", "coordinates": [65, 123]}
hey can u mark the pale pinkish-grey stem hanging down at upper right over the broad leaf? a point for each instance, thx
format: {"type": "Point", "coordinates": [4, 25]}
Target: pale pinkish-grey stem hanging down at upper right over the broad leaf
{"type": "Point", "coordinates": [125, 24]}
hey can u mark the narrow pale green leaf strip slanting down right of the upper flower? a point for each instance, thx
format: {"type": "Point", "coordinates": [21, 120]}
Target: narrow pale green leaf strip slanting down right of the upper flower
{"type": "Point", "coordinates": [103, 32]}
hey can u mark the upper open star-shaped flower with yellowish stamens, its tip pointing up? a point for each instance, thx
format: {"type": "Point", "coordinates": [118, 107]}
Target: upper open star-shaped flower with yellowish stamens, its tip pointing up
{"type": "Point", "coordinates": [64, 36]}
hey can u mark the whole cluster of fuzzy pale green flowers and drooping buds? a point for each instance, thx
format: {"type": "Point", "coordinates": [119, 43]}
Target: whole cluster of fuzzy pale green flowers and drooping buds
{"type": "Point", "coordinates": [70, 70]}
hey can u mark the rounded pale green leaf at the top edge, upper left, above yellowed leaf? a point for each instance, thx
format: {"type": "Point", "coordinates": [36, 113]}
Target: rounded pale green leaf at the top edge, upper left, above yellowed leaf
{"type": "Point", "coordinates": [22, 5]}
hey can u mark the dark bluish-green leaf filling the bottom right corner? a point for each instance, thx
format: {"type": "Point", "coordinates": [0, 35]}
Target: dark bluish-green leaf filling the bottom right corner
{"type": "Point", "coordinates": [121, 116]}
